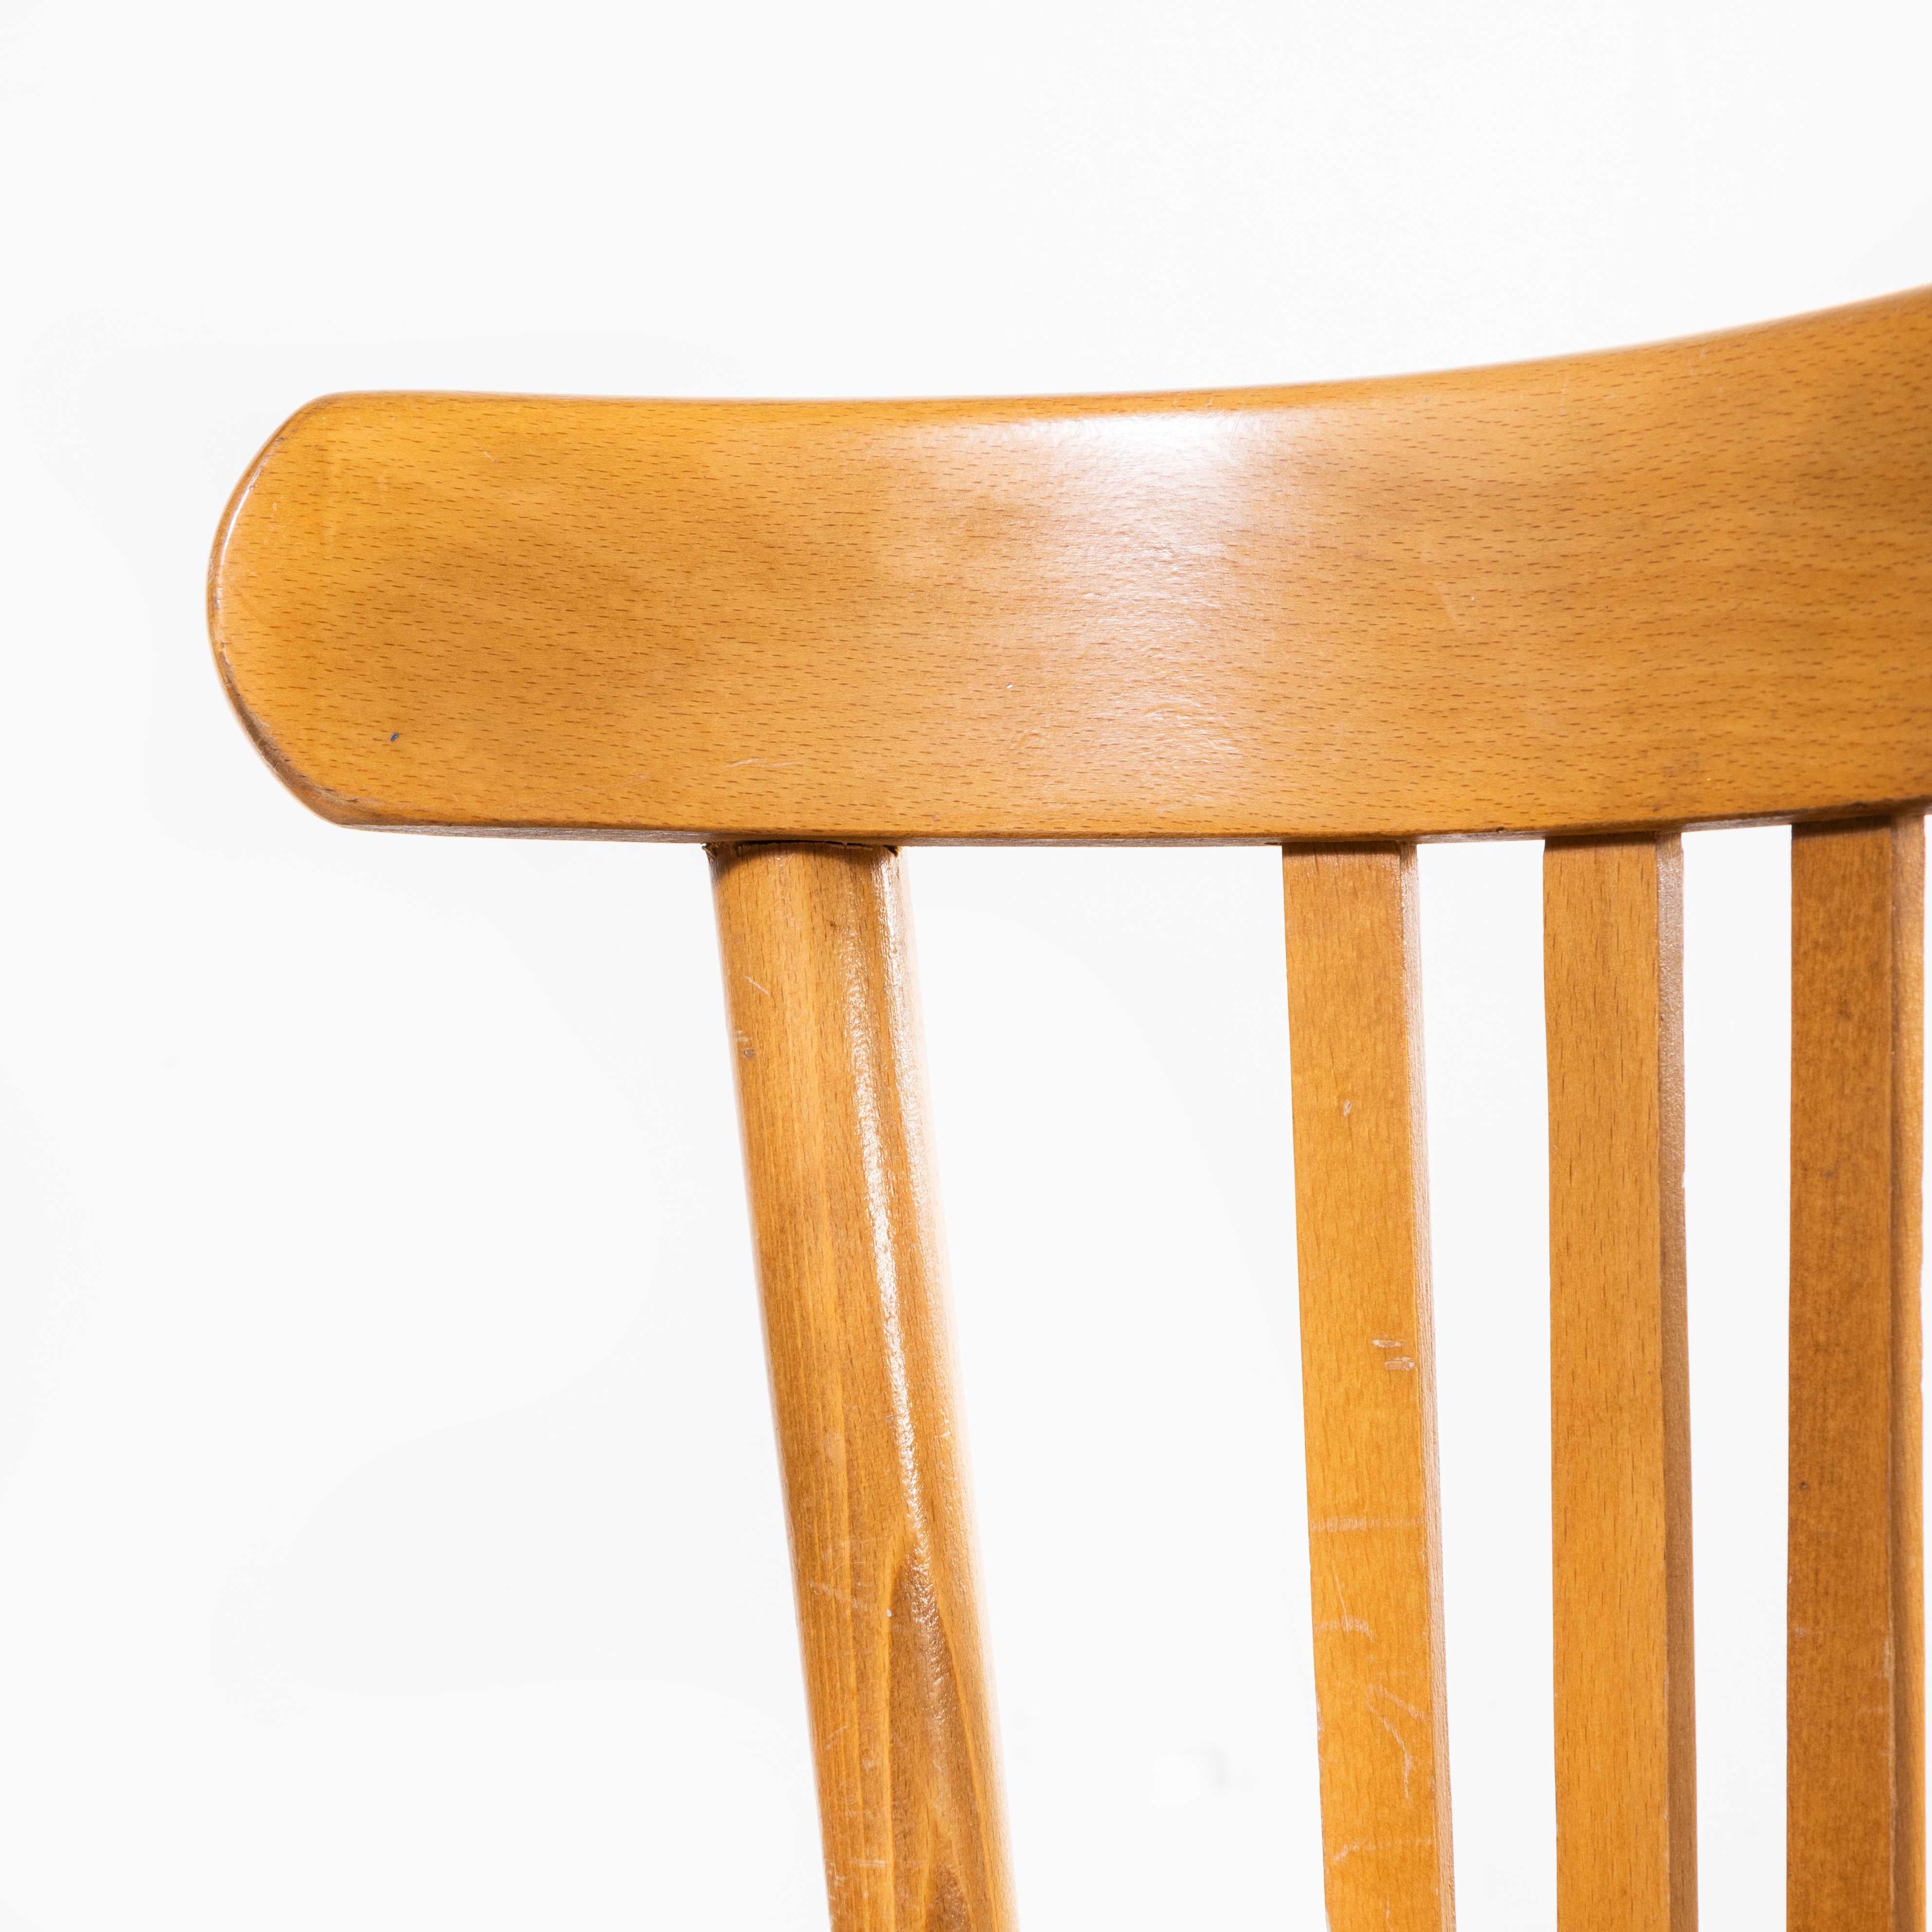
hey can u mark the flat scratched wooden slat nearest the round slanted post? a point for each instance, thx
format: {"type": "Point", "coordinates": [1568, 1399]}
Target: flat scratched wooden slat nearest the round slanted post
{"type": "Point", "coordinates": [1369, 1386]}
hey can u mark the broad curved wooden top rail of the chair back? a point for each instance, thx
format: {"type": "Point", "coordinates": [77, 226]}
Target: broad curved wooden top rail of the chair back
{"type": "Point", "coordinates": [1662, 586]}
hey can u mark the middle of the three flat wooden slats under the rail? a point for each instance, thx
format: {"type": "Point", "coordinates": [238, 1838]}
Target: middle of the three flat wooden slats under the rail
{"type": "Point", "coordinates": [1620, 1388]}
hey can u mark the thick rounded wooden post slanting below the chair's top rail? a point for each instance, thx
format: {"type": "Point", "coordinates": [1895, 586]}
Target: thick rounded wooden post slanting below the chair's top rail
{"type": "Point", "coordinates": [826, 1044]}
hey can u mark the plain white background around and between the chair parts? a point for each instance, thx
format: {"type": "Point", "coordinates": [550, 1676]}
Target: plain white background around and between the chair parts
{"type": "Point", "coordinates": [391, 1529]}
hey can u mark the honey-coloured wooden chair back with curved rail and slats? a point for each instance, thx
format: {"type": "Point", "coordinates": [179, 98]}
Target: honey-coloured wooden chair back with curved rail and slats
{"type": "Point", "coordinates": [1593, 600]}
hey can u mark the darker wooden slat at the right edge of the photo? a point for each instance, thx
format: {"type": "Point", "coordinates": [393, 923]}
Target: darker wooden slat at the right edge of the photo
{"type": "Point", "coordinates": [1856, 1639]}
